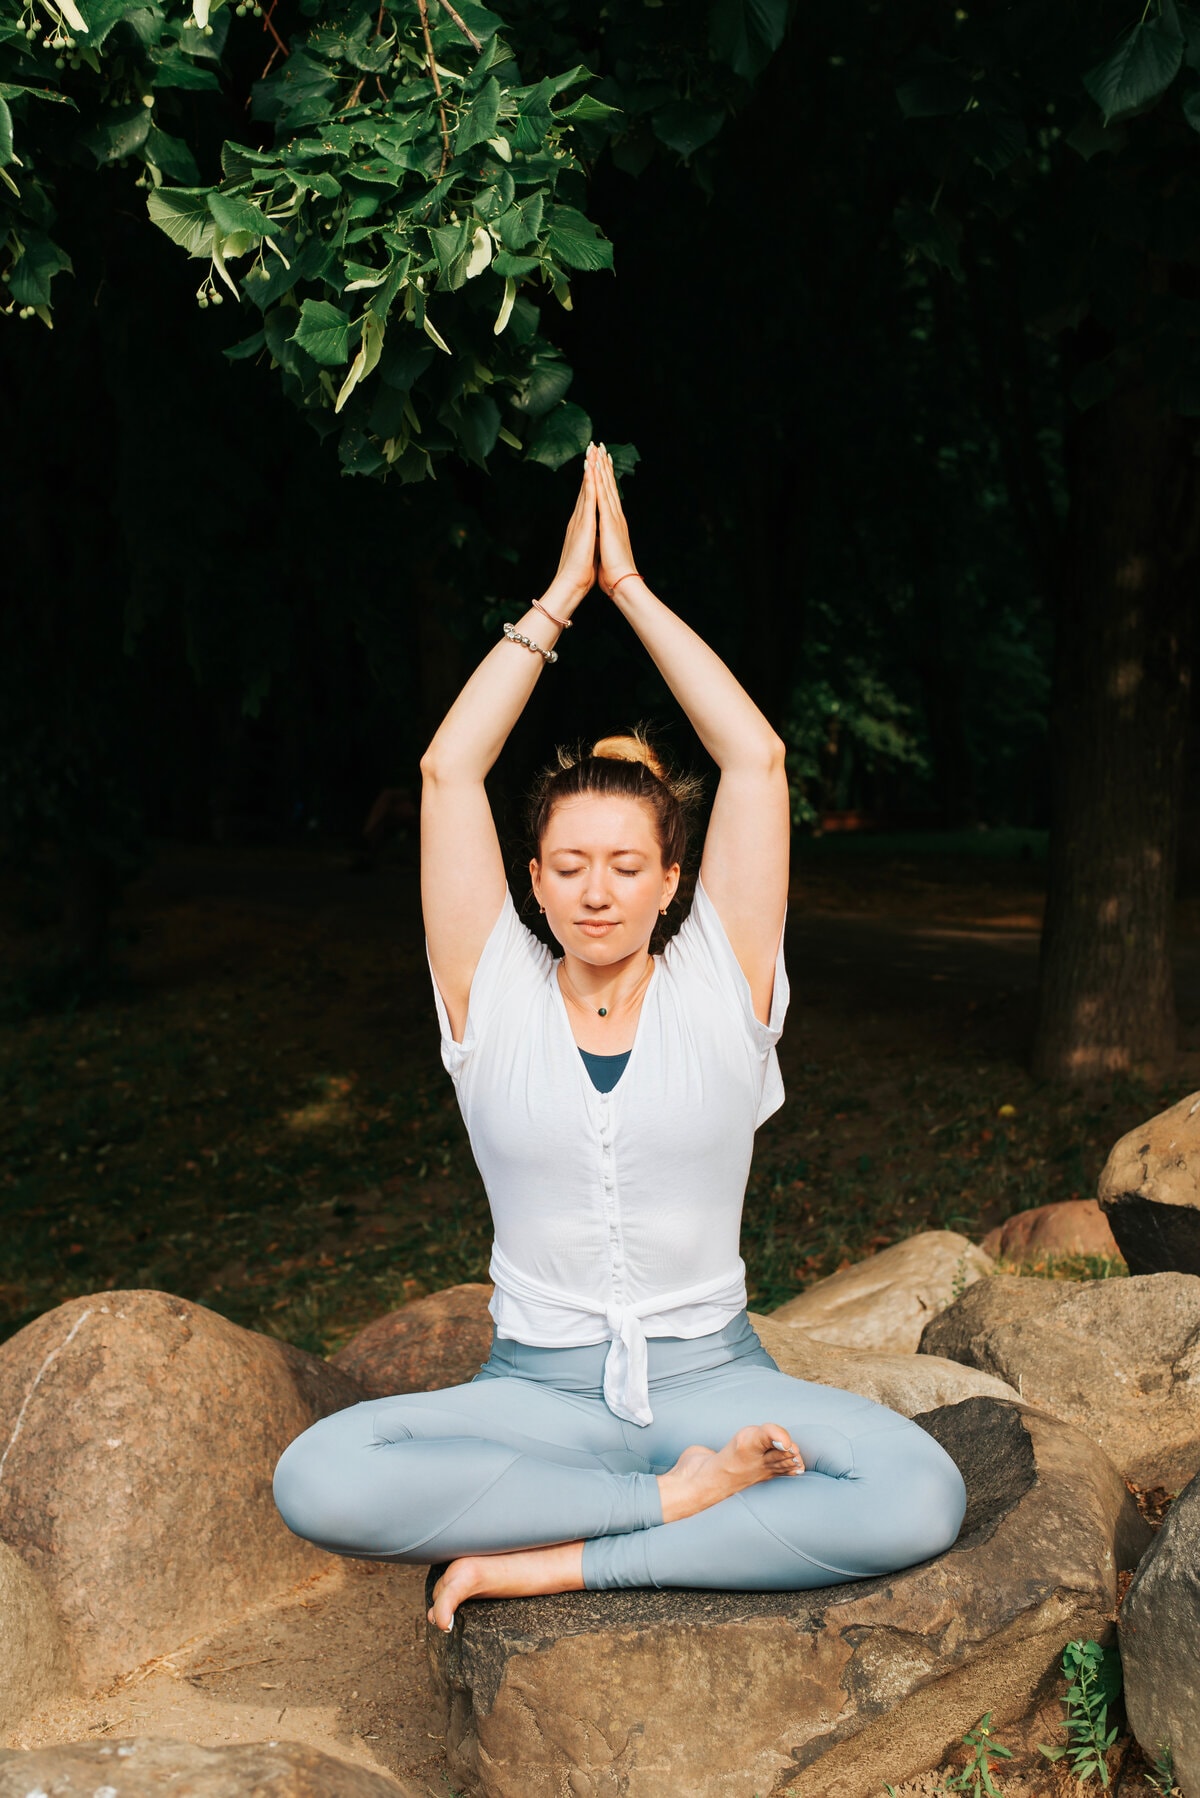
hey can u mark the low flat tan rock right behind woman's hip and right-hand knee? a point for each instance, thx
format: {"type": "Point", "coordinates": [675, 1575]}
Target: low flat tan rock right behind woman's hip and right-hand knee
{"type": "Point", "coordinates": [908, 1384]}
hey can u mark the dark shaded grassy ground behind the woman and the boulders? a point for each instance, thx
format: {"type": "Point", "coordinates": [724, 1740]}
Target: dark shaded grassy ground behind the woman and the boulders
{"type": "Point", "coordinates": [260, 1121]}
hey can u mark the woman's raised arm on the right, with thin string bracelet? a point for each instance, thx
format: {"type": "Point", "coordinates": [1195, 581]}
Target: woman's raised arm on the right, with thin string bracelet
{"type": "Point", "coordinates": [746, 851]}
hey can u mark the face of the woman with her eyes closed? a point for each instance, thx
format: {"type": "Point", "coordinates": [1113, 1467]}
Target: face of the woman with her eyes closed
{"type": "Point", "coordinates": [602, 877]}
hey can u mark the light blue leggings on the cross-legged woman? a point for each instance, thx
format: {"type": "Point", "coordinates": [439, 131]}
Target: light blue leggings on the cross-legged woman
{"type": "Point", "coordinates": [528, 1454]}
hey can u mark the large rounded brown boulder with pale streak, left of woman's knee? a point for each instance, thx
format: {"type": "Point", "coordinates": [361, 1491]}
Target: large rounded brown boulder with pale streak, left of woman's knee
{"type": "Point", "coordinates": [143, 1434]}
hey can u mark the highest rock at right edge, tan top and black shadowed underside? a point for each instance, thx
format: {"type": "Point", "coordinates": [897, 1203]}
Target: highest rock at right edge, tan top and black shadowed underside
{"type": "Point", "coordinates": [1151, 1191]}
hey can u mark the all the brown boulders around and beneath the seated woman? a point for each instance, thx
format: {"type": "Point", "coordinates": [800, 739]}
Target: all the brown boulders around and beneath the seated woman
{"type": "Point", "coordinates": [139, 1434]}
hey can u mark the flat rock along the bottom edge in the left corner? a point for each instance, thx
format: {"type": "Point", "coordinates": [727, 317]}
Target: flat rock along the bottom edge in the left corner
{"type": "Point", "coordinates": [150, 1767]}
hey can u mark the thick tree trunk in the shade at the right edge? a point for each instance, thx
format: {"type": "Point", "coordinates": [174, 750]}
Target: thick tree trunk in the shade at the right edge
{"type": "Point", "coordinates": [1118, 733]}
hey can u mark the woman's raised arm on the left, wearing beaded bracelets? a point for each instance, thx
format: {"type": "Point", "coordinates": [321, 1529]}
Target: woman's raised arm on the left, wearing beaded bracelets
{"type": "Point", "coordinates": [461, 866]}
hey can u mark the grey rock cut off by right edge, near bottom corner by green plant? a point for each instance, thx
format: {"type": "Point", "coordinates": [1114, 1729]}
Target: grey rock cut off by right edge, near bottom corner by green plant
{"type": "Point", "coordinates": [1160, 1626]}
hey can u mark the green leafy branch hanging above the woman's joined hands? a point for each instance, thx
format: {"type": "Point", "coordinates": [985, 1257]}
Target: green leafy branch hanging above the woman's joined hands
{"type": "Point", "coordinates": [418, 197]}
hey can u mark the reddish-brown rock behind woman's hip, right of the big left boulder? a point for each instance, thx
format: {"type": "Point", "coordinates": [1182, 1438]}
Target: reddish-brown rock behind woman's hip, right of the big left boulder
{"type": "Point", "coordinates": [434, 1342]}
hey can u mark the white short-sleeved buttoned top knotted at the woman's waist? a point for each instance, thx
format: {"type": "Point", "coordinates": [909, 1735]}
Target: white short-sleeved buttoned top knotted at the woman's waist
{"type": "Point", "coordinates": [618, 1215]}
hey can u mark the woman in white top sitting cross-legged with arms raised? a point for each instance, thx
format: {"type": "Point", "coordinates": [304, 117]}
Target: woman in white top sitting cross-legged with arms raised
{"type": "Point", "coordinates": [629, 1429]}
